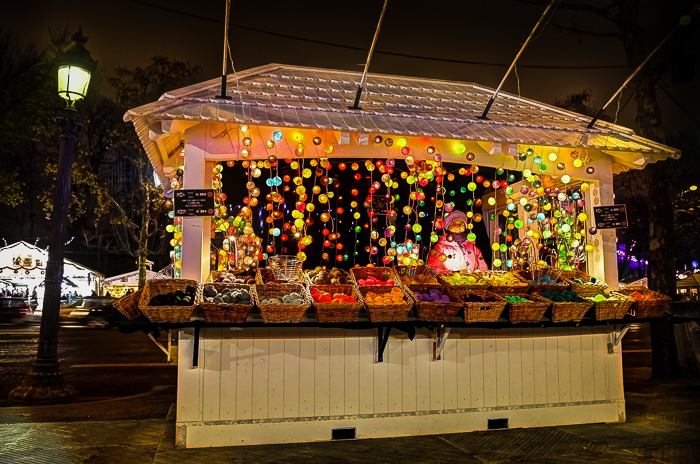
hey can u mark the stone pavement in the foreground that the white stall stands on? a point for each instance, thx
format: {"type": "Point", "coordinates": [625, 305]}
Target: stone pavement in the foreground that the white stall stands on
{"type": "Point", "coordinates": [660, 429]}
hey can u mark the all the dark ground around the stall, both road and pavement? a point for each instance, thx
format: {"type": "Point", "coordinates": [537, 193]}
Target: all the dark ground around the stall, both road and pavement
{"type": "Point", "coordinates": [132, 421]}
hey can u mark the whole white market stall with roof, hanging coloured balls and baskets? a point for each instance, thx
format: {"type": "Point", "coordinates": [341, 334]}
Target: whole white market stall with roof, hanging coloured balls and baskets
{"type": "Point", "coordinates": [461, 228]}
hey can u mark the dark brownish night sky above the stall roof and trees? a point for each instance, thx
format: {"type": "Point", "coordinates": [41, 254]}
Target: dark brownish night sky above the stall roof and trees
{"type": "Point", "coordinates": [130, 32]}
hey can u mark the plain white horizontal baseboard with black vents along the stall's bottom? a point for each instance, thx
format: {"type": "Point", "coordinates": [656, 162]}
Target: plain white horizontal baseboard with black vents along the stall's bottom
{"type": "Point", "coordinates": [223, 433]}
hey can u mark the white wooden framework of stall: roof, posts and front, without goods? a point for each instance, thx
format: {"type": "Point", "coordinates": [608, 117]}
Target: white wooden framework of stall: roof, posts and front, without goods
{"type": "Point", "coordinates": [311, 383]}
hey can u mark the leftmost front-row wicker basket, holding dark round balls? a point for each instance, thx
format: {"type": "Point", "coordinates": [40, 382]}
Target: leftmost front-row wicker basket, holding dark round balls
{"type": "Point", "coordinates": [168, 313]}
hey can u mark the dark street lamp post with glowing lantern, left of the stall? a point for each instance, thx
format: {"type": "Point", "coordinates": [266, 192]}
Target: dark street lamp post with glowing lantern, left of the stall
{"type": "Point", "coordinates": [44, 383]}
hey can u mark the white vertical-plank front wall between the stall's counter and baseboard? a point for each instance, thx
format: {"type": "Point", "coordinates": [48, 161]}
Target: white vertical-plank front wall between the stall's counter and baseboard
{"type": "Point", "coordinates": [269, 375]}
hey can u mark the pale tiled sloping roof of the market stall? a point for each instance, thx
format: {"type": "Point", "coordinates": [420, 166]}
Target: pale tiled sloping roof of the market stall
{"type": "Point", "coordinates": [315, 98]}
